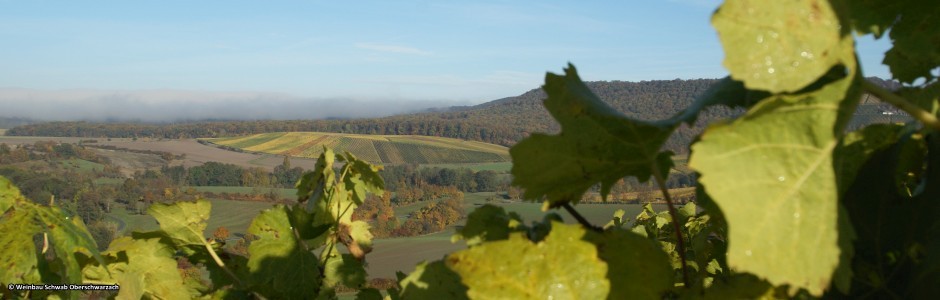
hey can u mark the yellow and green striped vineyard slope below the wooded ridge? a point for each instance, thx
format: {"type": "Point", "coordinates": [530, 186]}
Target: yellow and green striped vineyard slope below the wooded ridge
{"type": "Point", "coordinates": [383, 149]}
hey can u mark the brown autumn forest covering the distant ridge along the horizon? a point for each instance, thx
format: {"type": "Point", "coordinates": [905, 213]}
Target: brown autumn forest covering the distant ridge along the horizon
{"type": "Point", "coordinates": [504, 121]}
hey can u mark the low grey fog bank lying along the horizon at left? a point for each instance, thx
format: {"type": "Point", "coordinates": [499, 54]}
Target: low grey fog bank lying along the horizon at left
{"type": "Point", "coordinates": [174, 106]}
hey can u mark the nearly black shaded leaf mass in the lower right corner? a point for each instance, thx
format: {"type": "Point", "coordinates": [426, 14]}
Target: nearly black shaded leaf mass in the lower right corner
{"type": "Point", "coordinates": [891, 225]}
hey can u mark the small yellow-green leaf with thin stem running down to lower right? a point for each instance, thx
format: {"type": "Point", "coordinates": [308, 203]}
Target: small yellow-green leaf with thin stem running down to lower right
{"type": "Point", "coordinates": [183, 222]}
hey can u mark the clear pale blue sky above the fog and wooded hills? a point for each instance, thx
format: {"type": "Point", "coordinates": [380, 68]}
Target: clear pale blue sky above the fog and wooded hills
{"type": "Point", "coordinates": [457, 51]}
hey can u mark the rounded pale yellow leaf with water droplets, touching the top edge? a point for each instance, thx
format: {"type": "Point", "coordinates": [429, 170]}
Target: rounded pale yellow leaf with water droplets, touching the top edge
{"type": "Point", "coordinates": [780, 46]}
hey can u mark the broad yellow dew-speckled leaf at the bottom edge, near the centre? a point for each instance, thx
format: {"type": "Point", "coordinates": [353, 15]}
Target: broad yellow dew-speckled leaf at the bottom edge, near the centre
{"type": "Point", "coordinates": [560, 267]}
